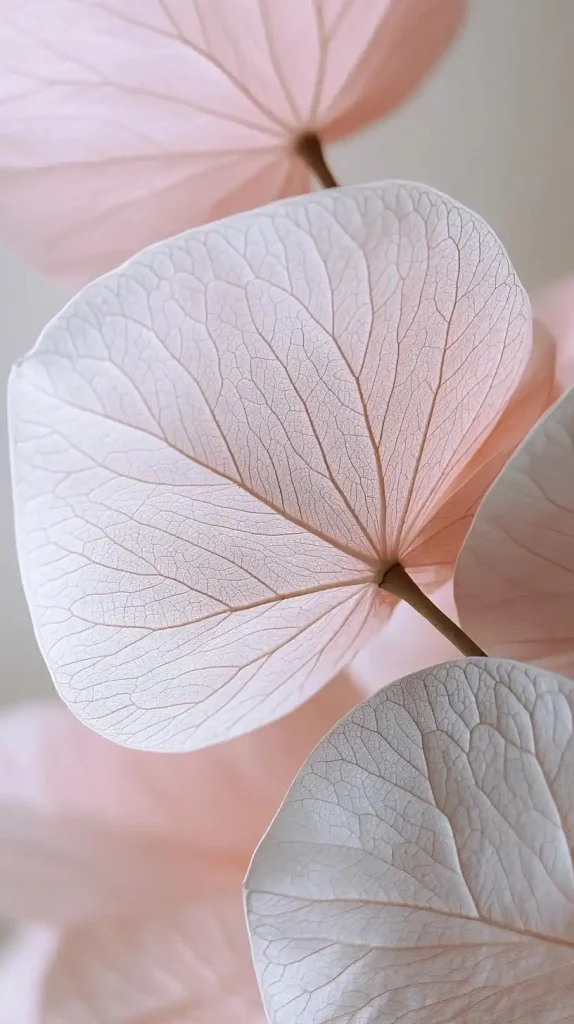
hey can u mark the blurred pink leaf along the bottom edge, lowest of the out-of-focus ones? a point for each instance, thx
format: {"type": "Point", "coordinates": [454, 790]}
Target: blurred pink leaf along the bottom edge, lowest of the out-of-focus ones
{"type": "Point", "coordinates": [189, 965]}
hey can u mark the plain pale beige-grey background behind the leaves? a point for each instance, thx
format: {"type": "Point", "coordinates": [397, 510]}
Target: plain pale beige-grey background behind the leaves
{"type": "Point", "coordinates": [494, 127]}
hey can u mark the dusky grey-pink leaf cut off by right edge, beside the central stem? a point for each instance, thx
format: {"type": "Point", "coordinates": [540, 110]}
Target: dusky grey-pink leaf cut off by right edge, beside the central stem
{"type": "Point", "coordinates": [515, 575]}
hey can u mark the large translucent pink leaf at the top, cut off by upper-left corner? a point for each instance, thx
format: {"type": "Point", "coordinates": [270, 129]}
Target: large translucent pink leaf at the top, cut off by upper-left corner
{"type": "Point", "coordinates": [125, 123]}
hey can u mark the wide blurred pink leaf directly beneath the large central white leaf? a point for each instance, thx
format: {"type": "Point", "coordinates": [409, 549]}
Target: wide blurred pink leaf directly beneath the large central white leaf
{"type": "Point", "coordinates": [89, 829]}
